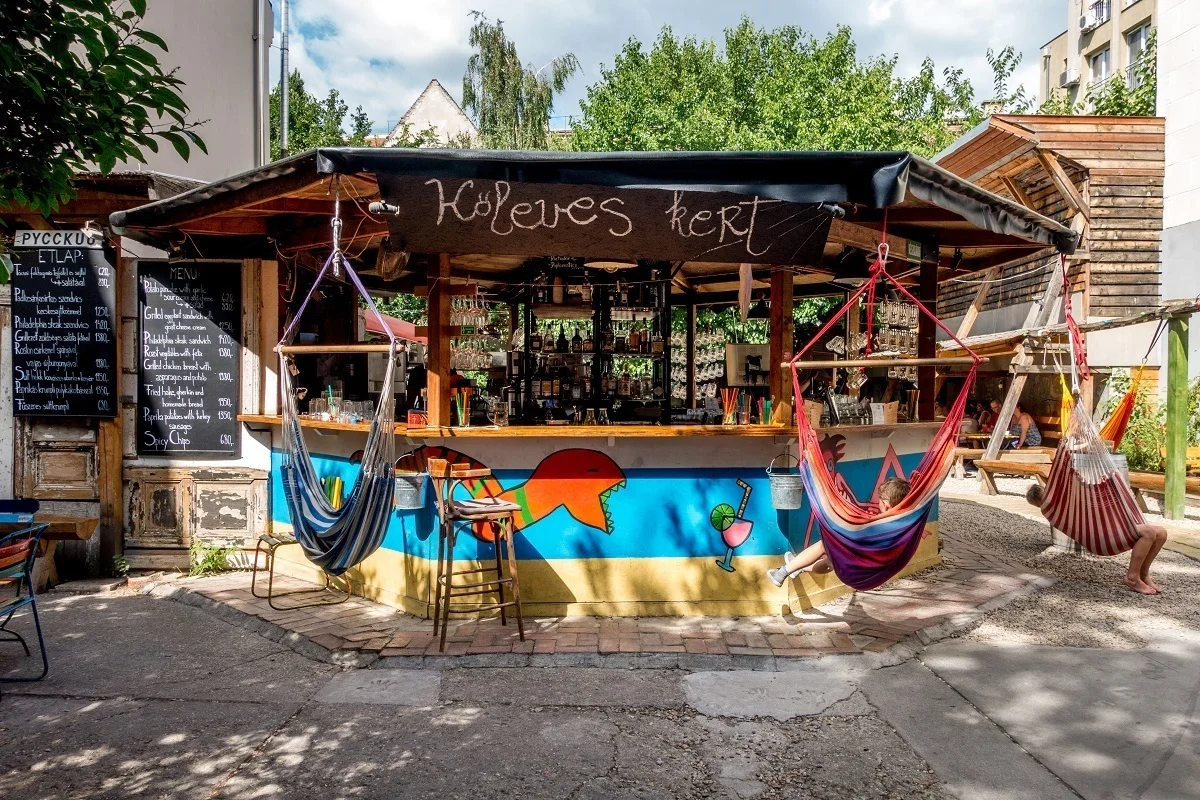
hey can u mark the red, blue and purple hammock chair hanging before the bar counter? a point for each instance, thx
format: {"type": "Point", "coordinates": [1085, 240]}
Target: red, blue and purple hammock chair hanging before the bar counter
{"type": "Point", "coordinates": [866, 546]}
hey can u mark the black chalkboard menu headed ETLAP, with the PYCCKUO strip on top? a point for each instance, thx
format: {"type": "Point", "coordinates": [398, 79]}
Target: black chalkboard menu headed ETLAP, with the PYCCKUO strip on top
{"type": "Point", "coordinates": [64, 326]}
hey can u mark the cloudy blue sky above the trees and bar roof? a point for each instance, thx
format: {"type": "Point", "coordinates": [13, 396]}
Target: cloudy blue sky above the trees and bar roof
{"type": "Point", "coordinates": [381, 53]}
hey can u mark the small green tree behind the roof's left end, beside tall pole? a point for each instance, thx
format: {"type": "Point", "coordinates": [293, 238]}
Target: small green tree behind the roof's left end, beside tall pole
{"type": "Point", "coordinates": [315, 123]}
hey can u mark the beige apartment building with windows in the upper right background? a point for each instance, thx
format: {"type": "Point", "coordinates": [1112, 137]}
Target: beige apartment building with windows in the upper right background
{"type": "Point", "coordinates": [1103, 39]}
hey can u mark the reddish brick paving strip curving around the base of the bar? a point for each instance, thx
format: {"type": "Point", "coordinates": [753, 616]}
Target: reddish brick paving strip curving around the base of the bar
{"type": "Point", "coordinates": [971, 581]}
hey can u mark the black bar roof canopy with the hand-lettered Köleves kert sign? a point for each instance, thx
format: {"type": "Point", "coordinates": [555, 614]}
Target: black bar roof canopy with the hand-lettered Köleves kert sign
{"type": "Point", "coordinates": [770, 208]}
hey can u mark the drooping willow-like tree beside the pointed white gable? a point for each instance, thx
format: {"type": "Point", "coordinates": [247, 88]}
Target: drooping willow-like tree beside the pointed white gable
{"type": "Point", "coordinates": [511, 103]}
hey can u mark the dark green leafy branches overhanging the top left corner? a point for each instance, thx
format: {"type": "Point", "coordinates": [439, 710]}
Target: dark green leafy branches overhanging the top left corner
{"type": "Point", "coordinates": [81, 89]}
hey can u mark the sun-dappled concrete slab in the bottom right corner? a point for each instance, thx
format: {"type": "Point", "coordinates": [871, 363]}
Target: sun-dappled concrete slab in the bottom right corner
{"type": "Point", "coordinates": [1109, 724]}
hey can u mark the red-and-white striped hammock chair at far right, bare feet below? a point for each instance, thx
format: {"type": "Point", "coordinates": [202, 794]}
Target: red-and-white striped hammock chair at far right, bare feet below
{"type": "Point", "coordinates": [1088, 497]}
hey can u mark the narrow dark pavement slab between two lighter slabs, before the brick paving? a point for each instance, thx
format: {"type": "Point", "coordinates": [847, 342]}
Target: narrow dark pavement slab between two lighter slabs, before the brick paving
{"type": "Point", "coordinates": [566, 687]}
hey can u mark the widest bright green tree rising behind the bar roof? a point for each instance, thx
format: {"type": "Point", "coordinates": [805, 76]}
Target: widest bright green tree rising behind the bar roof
{"type": "Point", "coordinates": [765, 89]}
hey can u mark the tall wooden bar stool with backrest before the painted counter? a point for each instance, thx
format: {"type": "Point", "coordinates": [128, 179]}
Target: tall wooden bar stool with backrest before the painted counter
{"type": "Point", "coordinates": [454, 516]}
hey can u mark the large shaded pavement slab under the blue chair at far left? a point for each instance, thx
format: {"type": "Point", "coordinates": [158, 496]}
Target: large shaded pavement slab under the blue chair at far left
{"type": "Point", "coordinates": [125, 646]}
